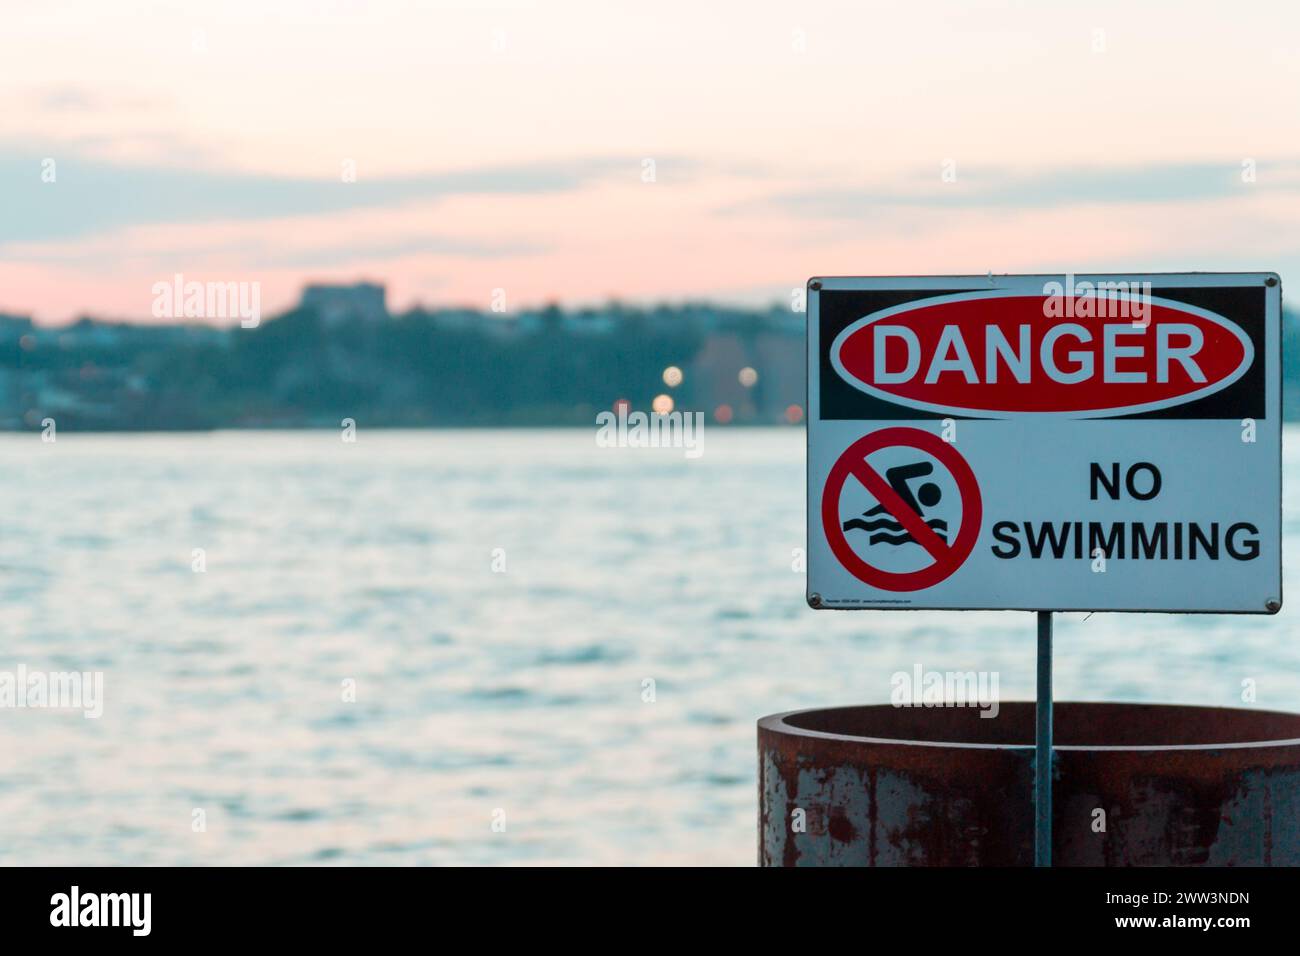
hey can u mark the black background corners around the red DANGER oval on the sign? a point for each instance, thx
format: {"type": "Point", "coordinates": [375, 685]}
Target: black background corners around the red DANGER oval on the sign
{"type": "Point", "coordinates": [1245, 306]}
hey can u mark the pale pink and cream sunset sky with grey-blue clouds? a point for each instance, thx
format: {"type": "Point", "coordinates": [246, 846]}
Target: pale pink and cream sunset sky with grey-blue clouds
{"type": "Point", "coordinates": [655, 152]}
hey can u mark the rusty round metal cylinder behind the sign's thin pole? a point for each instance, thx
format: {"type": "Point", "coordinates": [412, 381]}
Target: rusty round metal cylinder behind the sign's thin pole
{"type": "Point", "coordinates": [1136, 785]}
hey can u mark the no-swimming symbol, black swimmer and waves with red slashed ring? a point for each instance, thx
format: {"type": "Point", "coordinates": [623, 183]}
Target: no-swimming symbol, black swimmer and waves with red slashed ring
{"type": "Point", "coordinates": [898, 503]}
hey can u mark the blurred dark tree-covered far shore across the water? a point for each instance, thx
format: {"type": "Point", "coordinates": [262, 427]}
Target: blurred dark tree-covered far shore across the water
{"type": "Point", "coordinates": [317, 366]}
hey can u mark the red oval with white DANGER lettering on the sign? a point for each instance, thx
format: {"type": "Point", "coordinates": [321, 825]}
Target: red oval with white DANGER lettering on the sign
{"type": "Point", "coordinates": [1039, 347]}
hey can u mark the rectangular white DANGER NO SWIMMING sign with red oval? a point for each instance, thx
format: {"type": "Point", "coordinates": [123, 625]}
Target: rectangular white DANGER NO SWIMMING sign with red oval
{"type": "Point", "coordinates": [1093, 443]}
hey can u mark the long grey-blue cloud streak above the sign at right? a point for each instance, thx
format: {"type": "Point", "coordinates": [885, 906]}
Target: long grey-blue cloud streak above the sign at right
{"type": "Point", "coordinates": [986, 188]}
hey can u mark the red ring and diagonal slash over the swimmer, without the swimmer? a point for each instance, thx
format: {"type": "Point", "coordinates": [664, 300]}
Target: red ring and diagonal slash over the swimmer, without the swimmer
{"type": "Point", "coordinates": [948, 559]}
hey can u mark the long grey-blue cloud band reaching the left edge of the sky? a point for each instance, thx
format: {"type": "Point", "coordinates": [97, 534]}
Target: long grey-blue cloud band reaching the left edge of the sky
{"type": "Point", "coordinates": [92, 197]}
